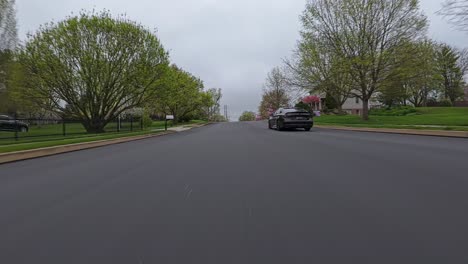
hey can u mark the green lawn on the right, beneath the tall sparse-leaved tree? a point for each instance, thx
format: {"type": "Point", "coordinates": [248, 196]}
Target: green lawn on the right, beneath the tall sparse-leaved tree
{"type": "Point", "coordinates": [426, 118]}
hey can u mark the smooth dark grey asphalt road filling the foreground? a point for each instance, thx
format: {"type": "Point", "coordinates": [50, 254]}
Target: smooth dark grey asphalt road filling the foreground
{"type": "Point", "coordinates": [240, 193]}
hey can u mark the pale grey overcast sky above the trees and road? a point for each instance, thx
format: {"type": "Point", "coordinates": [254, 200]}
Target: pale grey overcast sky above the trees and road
{"type": "Point", "coordinates": [230, 44]}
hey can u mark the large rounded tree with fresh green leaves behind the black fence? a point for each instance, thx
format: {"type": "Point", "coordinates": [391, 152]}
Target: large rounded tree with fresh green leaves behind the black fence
{"type": "Point", "coordinates": [93, 67]}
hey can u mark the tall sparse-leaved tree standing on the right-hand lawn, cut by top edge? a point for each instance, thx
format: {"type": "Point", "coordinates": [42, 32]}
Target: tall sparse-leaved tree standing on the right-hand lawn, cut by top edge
{"type": "Point", "coordinates": [356, 41]}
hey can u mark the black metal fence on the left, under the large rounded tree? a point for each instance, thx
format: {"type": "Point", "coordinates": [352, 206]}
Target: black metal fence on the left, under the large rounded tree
{"type": "Point", "coordinates": [29, 129]}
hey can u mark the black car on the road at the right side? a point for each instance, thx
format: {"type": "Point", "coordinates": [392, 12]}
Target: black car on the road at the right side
{"type": "Point", "coordinates": [285, 118]}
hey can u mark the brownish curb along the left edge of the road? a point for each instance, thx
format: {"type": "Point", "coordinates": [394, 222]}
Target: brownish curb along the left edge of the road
{"type": "Point", "coordinates": [50, 151]}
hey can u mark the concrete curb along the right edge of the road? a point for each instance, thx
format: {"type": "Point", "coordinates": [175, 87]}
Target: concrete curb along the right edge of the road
{"type": "Point", "coordinates": [435, 133]}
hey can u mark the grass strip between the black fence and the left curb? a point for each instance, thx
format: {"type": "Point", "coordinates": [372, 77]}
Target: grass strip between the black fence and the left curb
{"type": "Point", "coordinates": [37, 141]}
